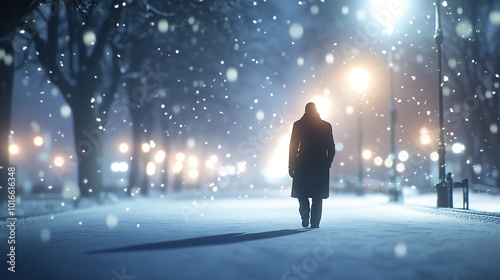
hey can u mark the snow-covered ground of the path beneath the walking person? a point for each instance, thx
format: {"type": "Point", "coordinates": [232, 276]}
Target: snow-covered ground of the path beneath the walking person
{"type": "Point", "coordinates": [231, 238]}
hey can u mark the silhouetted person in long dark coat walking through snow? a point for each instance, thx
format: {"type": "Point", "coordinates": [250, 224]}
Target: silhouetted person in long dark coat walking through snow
{"type": "Point", "coordinates": [312, 149]}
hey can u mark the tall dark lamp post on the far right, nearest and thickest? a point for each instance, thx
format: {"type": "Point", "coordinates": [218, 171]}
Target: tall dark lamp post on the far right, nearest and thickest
{"type": "Point", "coordinates": [443, 187]}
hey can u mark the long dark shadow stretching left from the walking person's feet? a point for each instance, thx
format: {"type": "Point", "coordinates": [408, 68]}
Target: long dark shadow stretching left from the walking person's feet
{"type": "Point", "coordinates": [203, 241]}
